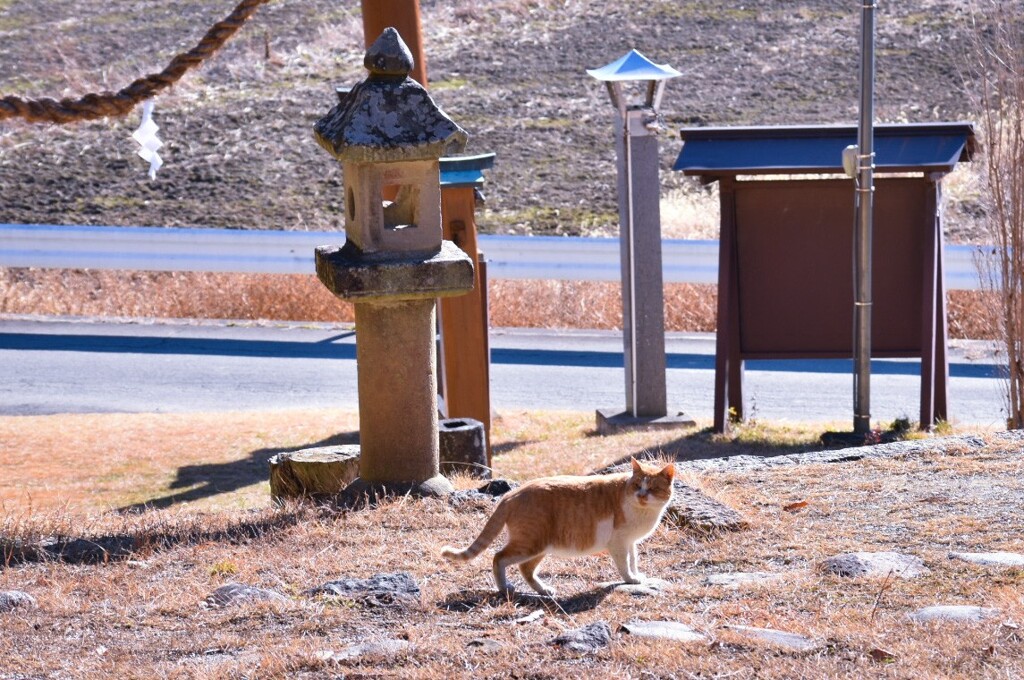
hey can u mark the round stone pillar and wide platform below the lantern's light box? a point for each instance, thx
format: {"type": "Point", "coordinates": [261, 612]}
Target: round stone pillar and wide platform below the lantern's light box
{"type": "Point", "coordinates": [395, 301]}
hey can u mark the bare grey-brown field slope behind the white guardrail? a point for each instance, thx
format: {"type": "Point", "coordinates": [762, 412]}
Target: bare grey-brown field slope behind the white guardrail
{"type": "Point", "coordinates": [239, 146]}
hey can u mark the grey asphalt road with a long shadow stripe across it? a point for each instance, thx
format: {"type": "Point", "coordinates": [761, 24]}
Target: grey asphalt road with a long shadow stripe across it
{"type": "Point", "coordinates": [70, 366]}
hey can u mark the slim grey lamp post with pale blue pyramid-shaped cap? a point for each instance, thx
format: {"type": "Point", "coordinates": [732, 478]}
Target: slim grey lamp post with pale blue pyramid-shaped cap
{"type": "Point", "coordinates": [641, 238]}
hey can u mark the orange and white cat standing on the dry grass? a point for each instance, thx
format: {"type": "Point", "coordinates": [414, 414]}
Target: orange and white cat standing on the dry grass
{"type": "Point", "coordinates": [572, 517]}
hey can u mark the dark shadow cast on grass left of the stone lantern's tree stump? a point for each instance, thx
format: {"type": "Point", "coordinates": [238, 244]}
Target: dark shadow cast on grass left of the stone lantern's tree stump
{"type": "Point", "coordinates": [205, 481]}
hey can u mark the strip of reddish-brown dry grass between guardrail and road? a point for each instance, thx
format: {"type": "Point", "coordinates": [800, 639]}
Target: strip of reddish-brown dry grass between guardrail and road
{"type": "Point", "coordinates": [689, 308]}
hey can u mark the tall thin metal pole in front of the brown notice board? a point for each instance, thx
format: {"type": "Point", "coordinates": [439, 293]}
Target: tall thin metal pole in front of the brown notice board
{"type": "Point", "coordinates": [863, 232]}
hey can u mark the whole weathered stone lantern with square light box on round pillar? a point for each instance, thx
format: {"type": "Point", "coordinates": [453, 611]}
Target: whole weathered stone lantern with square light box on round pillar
{"type": "Point", "coordinates": [390, 137]}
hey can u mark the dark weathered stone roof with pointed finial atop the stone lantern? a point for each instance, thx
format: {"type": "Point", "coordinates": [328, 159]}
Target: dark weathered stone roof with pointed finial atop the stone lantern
{"type": "Point", "coordinates": [389, 117]}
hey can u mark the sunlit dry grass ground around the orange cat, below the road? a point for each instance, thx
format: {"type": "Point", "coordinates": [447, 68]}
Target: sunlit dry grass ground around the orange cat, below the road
{"type": "Point", "coordinates": [143, 617]}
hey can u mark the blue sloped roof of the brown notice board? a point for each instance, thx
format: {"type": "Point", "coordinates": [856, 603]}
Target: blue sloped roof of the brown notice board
{"type": "Point", "coordinates": [798, 150]}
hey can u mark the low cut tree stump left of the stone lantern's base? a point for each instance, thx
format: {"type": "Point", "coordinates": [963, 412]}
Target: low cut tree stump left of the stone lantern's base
{"type": "Point", "coordinates": [314, 473]}
